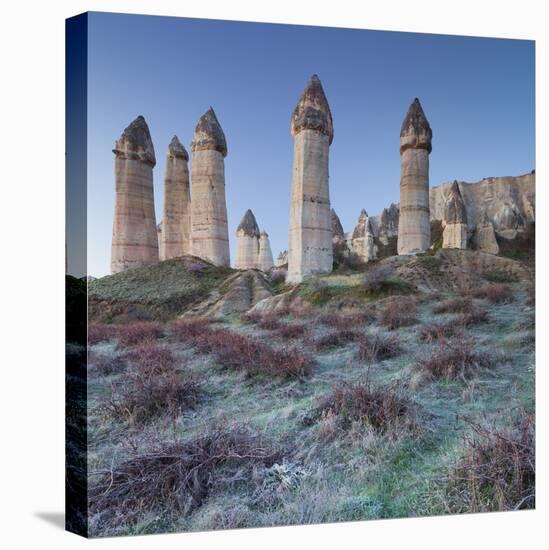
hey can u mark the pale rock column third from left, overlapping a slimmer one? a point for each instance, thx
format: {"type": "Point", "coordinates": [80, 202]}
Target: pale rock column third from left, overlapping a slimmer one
{"type": "Point", "coordinates": [209, 231]}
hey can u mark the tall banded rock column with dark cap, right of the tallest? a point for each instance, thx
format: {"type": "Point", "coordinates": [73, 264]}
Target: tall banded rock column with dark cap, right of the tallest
{"type": "Point", "coordinates": [414, 228]}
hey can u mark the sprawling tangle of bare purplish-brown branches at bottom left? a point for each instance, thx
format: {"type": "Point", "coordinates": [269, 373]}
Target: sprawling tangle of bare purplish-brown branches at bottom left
{"type": "Point", "coordinates": [176, 477]}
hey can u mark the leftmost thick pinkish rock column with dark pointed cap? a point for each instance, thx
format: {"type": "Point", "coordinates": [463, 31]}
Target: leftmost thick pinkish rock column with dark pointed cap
{"type": "Point", "coordinates": [134, 235]}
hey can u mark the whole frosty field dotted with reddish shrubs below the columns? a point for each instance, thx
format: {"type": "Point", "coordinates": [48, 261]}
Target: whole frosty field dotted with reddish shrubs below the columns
{"type": "Point", "coordinates": [353, 406]}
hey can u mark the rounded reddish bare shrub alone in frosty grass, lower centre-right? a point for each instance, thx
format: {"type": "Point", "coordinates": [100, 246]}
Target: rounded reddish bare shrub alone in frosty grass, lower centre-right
{"type": "Point", "coordinates": [384, 409]}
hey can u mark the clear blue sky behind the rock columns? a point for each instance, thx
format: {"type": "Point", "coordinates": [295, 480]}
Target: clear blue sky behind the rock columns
{"type": "Point", "coordinates": [478, 94]}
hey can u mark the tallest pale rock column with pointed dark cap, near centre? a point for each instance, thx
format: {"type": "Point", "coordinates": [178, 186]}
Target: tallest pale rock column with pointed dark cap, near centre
{"type": "Point", "coordinates": [310, 235]}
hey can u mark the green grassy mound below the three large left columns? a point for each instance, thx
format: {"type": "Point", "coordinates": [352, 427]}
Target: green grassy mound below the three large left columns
{"type": "Point", "coordinates": [160, 291]}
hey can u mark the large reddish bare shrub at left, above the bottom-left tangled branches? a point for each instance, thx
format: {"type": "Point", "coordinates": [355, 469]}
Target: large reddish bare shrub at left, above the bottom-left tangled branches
{"type": "Point", "coordinates": [152, 387]}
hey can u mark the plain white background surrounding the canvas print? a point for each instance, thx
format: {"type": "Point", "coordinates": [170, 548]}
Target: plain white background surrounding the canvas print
{"type": "Point", "coordinates": [32, 269]}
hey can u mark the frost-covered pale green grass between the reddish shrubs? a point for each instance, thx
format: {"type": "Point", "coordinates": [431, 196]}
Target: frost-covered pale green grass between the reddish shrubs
{"type": "Point", "coordinates": [328, 464]}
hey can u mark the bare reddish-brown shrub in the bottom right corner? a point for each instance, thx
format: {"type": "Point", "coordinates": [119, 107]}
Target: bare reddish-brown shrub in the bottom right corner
{"type": "Point", "coordinates": [496, 470]}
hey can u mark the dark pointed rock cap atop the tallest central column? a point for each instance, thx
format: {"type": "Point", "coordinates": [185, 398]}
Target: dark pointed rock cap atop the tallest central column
{"type": "Point", "coordinates": [312, 111]}
